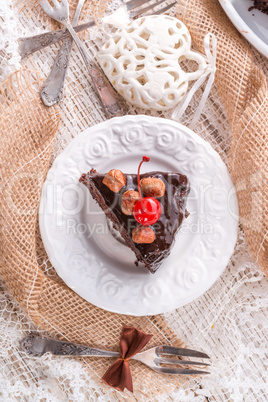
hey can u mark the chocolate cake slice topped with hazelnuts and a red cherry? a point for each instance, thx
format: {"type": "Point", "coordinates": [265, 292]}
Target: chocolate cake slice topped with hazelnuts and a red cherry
{"type": "Point", "coordinates": [117, 194]}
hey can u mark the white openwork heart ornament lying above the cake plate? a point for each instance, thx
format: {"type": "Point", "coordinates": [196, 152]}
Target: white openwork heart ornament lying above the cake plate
{"type": "Point", "coordinates": [143, 62]}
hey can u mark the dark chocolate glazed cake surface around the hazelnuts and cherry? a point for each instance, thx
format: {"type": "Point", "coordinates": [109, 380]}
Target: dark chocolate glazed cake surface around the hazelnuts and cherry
{"type": "Point", "coordinates": [173, 211]}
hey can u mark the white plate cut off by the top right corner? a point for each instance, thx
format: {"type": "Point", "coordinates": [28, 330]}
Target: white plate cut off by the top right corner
{"type": "Point", "coordinates": [253, 25]}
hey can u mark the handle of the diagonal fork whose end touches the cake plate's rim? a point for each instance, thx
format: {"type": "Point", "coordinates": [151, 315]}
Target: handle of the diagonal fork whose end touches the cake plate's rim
{"type": "Point", "coordinates": [110, 99]}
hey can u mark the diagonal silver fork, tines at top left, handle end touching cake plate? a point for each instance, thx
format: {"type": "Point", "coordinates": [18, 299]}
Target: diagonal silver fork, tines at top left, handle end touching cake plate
{"type": "Point", "coordinates": [112, 104]}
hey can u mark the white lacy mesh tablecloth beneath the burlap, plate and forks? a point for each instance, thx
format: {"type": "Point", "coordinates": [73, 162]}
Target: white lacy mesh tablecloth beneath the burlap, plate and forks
{"type": "Point", "coordinates": [229, 321]}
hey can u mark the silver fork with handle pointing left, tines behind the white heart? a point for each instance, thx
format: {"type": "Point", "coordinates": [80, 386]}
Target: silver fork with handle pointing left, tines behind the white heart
{"type": "Point", "coordinates": [32, 44]}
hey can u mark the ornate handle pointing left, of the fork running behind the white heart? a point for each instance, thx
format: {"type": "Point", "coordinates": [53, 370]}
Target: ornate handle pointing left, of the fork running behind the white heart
{"type": "Point", "coordinates": [31, 44]}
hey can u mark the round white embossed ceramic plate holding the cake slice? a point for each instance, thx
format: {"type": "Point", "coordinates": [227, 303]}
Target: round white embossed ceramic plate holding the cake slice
{"type": "Point", "coordinates": [96, 265]}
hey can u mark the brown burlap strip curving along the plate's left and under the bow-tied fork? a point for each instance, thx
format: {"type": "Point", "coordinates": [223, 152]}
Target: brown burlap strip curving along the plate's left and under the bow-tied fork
{"type": "Point", "coordinates": [27, 133]}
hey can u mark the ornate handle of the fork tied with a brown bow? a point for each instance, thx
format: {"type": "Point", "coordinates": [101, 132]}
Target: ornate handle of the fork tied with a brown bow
{"type": "Point", "coordinates": [36, 345]}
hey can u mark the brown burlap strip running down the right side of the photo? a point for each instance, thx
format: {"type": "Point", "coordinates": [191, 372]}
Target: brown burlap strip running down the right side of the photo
{"type": "Point", "coordinates": [243, 89]}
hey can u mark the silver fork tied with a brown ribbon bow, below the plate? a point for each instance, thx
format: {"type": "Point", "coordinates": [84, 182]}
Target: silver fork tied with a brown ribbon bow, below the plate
{"type": "Point", "coordinates": [37, 345]}
